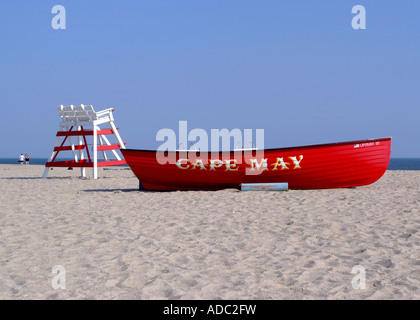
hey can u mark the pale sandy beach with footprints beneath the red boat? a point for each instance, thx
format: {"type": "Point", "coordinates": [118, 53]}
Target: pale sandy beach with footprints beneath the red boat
{"type": "Point", "coordinates": [113, 241]}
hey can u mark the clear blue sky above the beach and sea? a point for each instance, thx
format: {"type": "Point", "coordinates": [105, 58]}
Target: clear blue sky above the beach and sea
{"type": "Point", "coordinates": [296, 69]}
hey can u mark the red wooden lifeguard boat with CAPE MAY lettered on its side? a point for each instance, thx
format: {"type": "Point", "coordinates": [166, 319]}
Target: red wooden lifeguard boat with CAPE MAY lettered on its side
{"type": "Point", "coordinates": [323, 166]}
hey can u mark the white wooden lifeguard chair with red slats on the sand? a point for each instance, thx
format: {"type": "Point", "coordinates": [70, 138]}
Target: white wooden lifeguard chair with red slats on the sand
{"type": "Point", "coordinates": [84, 123]}
